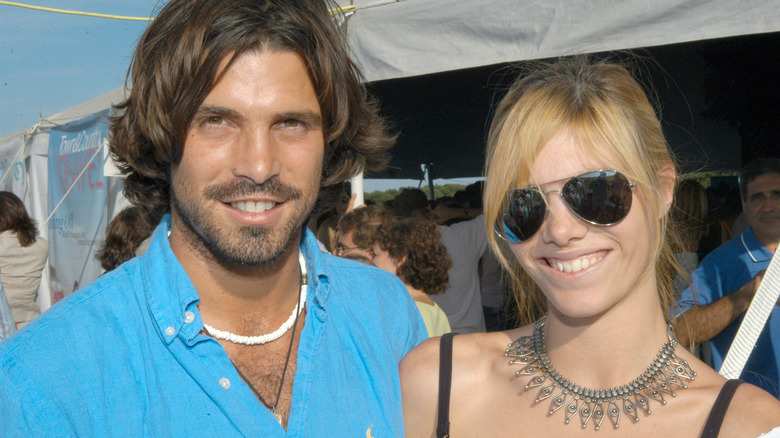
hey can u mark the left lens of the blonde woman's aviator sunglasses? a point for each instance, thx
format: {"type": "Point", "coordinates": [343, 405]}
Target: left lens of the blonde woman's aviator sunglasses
{"type": "Point", "coordinates": [523, 215]}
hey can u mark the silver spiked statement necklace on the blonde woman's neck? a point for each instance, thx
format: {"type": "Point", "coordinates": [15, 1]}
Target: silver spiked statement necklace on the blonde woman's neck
{"type": "Point", "coordinates": [667, 373]}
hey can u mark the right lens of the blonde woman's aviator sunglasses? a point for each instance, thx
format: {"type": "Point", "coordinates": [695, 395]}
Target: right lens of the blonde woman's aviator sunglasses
{"type": "Point", "coordinates": [602, 197]}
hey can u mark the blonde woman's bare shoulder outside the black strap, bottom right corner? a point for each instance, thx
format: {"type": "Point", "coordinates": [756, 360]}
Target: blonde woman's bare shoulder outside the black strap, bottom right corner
{"type": "Point", "coordinates": [752, 412]}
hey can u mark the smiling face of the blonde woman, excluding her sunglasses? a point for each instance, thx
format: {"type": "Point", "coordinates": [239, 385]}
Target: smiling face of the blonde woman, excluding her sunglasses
{"type": "Point", "coordinates": [585, 270]}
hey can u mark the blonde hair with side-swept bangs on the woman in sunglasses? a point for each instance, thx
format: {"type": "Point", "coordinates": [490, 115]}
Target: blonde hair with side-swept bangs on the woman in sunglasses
{"type": "Point", "coordinates": [612, 120]}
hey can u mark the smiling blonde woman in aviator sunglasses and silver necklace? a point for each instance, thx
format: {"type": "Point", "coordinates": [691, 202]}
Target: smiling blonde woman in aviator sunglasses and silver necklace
{"type": "Point", "coordinates": [579, 183]}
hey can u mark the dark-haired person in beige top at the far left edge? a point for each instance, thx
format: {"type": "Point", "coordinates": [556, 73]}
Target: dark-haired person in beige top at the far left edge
{"type": "Point", "coordinates": [22, 257]}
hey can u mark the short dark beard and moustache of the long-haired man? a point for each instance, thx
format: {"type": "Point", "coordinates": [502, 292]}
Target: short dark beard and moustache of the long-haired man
{"type": "Point", "coordinates": [260, 245]}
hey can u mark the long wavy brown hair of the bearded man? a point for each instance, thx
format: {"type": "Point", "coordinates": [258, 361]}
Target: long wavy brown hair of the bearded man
{"type": "Point", "coordinates": [176, 65]}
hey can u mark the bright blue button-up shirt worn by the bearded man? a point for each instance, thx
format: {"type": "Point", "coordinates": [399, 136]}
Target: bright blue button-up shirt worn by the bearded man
{"type": "Point", "coordinates": [125, 357]}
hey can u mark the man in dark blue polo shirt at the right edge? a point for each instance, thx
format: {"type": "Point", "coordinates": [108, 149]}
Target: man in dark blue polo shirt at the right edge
{"type": "Point", "coordinates": [727, 279]}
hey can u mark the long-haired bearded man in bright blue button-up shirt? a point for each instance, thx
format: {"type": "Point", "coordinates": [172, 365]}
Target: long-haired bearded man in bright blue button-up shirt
{"type": "Point", "coordinates": [239, 110]}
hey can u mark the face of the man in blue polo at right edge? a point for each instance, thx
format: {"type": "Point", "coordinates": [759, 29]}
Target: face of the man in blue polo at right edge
{"type": "Point", "coordinates": [762, 208]}
